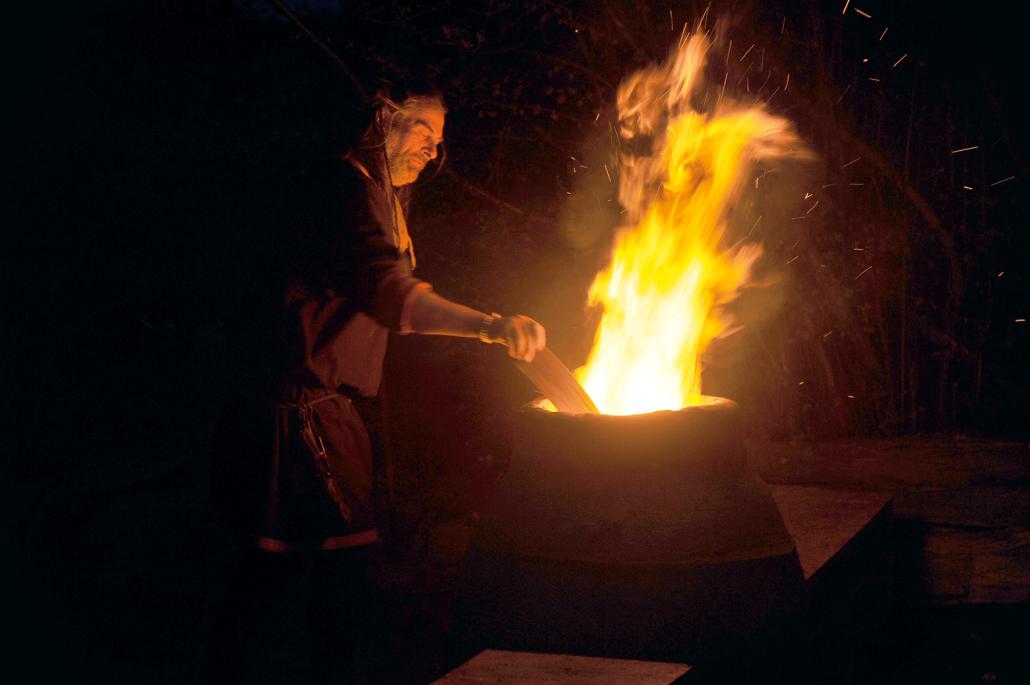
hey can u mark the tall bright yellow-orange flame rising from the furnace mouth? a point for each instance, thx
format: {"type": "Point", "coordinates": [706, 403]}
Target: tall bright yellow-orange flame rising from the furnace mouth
{"type": "Point", "coordinates": [670, 272]}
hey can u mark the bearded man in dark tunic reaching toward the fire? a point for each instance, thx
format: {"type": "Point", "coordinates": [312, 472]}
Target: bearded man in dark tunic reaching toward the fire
{"type": "Point", "coordinates": [293, 465]}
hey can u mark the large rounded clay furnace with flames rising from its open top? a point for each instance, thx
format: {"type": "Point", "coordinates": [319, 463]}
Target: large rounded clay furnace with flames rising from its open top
{"type": "Point", "coordinates": [638, 537]}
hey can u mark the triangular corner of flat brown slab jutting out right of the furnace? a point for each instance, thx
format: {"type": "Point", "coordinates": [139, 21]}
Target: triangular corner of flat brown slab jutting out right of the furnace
{"type": "Point", "coordinates": [823, 522]}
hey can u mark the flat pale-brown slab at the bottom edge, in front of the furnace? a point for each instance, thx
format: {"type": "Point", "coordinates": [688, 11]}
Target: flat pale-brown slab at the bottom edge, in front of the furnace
{"type": "Point", "coordinates": [507, 668]}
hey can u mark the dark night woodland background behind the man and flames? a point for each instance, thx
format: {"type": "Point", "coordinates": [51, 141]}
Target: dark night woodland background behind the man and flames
{"type": "Point", "coordinates": [155, 148]}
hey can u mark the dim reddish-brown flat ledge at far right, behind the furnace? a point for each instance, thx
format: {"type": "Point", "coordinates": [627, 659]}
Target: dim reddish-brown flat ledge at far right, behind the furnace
{"type": "Point", "coordinates": [962, 507]}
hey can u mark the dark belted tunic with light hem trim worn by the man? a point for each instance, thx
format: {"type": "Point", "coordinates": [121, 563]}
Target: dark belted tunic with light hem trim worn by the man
{"type": "Point", "coordinates": [293, 463]}
